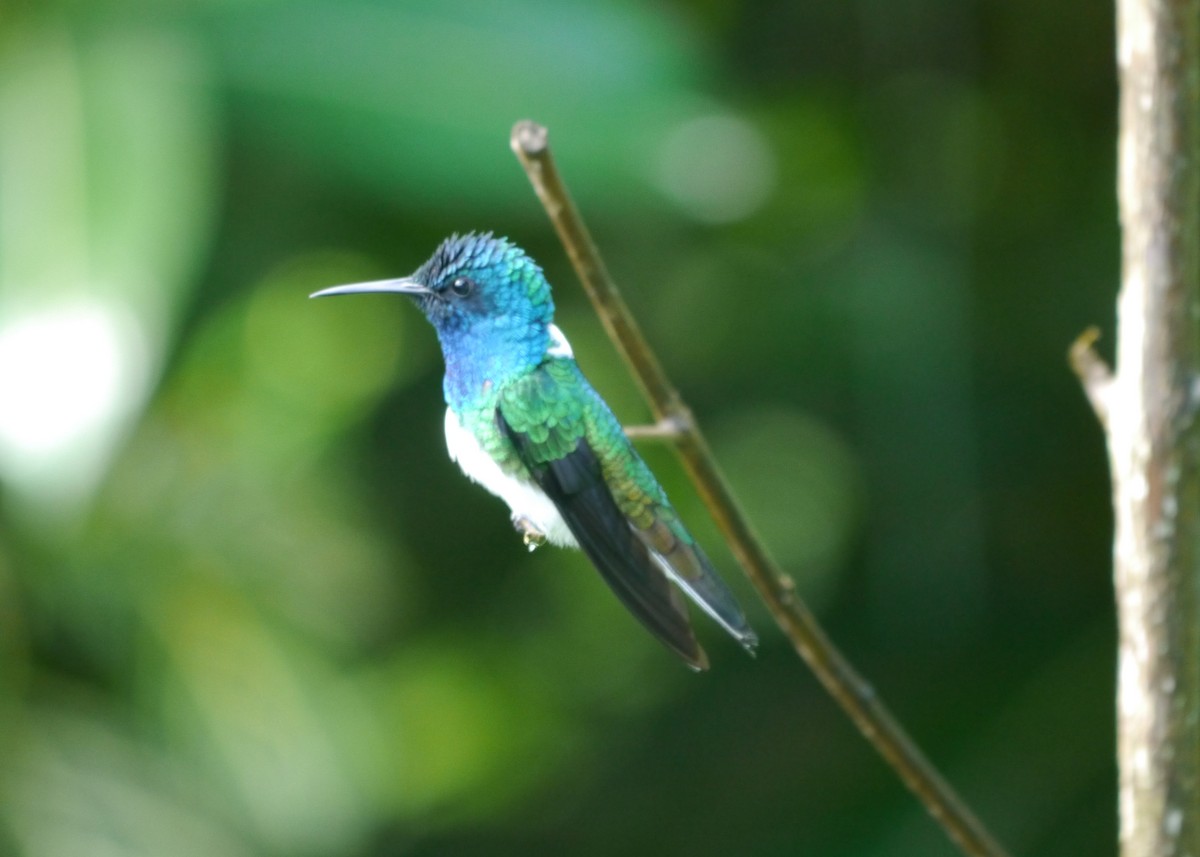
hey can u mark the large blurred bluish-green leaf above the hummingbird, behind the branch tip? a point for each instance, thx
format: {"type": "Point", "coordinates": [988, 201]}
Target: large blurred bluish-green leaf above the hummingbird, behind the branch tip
{"type": "Point", "coordinates": [416, 101]}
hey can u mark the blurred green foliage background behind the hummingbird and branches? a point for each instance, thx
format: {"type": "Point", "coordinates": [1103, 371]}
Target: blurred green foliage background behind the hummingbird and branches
{"type": "Point", "coordinates": [249, 609]}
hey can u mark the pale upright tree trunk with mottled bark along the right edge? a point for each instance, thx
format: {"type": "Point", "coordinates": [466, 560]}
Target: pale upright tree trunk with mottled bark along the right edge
{"type": "Point", "coordinates": [1151, 407]}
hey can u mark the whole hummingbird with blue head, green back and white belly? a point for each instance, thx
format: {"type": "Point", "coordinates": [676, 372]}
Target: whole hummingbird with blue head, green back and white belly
{"type": "Point", "coordinates": [524, 423]}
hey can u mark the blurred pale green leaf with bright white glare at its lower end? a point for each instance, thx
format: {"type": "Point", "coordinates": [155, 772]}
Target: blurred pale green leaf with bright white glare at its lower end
{"type": "Point", "coordinates": [106, 167]}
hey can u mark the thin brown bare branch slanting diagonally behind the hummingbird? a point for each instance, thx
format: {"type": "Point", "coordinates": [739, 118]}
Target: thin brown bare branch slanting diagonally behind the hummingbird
{"type": "Point", "coordinates": [856, 697]}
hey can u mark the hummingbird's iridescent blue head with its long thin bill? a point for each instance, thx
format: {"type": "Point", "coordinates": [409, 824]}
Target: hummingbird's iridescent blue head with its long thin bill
{"type": "Point", "coordinates": [482, 293]}
